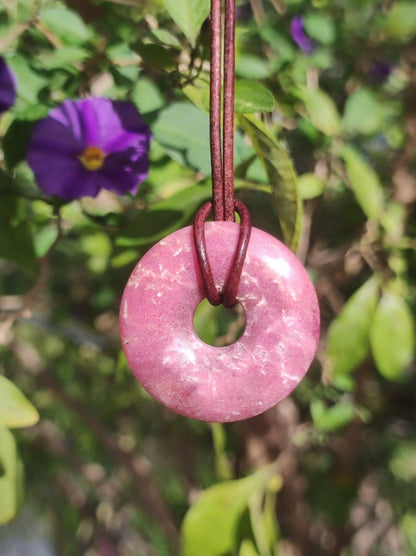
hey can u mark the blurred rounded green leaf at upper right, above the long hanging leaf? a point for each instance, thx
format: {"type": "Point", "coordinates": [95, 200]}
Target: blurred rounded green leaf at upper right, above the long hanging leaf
{"type": "Point", "coordinates": [363, 112]}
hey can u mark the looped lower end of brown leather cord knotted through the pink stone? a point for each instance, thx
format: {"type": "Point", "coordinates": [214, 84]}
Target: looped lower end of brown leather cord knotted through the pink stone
{"type": "Point", "coordinates": [228, 296]}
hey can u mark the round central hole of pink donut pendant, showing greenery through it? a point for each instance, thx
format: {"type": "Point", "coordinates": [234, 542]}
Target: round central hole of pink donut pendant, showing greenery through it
{"type": "Point", "coordinates": [219, 326]}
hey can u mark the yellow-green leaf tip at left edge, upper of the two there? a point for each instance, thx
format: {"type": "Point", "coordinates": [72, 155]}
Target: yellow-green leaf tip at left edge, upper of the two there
{"type": "Point", "coordinates": [15, 408]}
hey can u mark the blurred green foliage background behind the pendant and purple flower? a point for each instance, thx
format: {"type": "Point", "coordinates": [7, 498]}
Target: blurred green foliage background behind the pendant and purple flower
{"type": "Point", "coordinates": [325, 160]}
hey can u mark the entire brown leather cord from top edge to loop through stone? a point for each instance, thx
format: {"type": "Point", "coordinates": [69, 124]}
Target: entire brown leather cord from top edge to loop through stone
{"type": "Point", "coordinates": [223, 205]}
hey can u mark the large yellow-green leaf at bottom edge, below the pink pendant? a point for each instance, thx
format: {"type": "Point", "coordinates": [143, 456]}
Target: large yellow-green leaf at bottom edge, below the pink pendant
{"type": "Point", "coordinates": [210, 527]}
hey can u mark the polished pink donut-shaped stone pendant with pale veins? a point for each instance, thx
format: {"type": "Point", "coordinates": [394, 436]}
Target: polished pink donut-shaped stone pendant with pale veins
{"type": "Point", "coordinates": [219, 383]}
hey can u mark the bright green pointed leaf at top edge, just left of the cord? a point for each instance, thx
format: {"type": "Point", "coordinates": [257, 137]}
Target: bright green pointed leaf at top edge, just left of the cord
{"type": "Point", "coordinates": [189, 15]}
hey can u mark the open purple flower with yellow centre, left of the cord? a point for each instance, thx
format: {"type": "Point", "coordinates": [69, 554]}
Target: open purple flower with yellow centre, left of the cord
{"type": "Point", "coordinates": [85, 145]}
